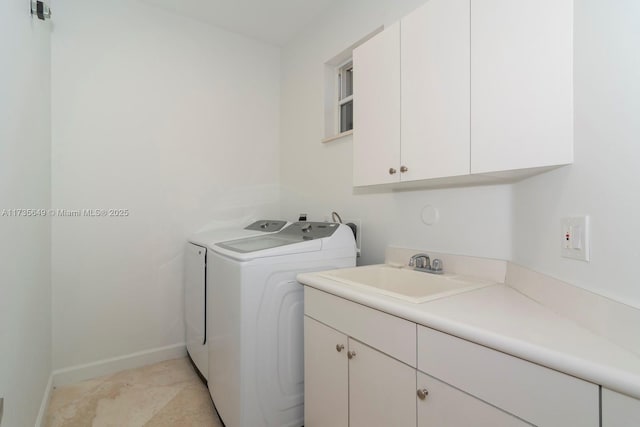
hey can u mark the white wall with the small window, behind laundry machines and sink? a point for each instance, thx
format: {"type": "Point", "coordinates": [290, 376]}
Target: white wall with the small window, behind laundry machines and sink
{"type": "Point", "coordinates": [317, 178]}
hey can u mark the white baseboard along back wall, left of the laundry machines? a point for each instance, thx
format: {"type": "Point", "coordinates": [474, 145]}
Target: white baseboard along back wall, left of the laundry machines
{"type": "Point", "coordinates": [79, 373]}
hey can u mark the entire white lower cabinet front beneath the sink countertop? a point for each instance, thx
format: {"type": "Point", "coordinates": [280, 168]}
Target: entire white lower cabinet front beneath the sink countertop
{"type": "Point", "coordinates": [354, 377]}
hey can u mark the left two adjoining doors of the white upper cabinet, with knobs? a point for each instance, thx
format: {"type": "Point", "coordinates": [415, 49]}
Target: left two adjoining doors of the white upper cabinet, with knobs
{"type": "Point", "coordinates": [411, 85]}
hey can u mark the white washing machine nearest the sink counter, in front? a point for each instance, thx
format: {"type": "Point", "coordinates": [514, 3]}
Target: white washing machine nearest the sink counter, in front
{"type": "Point", "coordinates": [256, 364]}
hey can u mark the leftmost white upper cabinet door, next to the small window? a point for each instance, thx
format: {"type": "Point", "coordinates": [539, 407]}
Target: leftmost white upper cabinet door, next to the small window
{"type": "Point", "coordinates": [376, 109]}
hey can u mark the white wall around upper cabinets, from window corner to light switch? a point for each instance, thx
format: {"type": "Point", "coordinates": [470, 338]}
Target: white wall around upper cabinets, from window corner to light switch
{"type": "Point", "coordinates": [520, 221]}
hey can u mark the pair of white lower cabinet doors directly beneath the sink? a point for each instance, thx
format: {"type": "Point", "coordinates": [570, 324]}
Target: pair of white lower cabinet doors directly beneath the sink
{"type": "Point", "coordinates": [348, 383]}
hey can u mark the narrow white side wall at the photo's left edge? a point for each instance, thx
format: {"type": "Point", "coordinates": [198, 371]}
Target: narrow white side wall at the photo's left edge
{"type": "Point", "coordinates": [25, 156]}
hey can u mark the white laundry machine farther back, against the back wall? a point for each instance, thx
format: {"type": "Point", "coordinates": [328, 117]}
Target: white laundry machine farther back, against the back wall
{"type": "Point", "coordinates": [195, 284]}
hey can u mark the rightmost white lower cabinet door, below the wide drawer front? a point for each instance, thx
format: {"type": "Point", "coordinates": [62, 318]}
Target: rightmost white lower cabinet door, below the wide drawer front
{"type": "Point", "coordinates": [447, 406]}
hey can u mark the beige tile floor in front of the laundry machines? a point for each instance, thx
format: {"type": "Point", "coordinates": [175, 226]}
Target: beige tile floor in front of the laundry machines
{"type": "Point", "coordinates": [165, 394]}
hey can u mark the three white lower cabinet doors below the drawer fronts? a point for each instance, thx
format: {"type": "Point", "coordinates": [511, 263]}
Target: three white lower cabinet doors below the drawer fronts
{"type": "Point", "coordinates": [348, 383]}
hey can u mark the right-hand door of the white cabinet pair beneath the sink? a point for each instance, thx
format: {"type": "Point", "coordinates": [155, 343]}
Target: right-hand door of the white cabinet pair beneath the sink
{"type": "Point", "coordinates": [382, 390]}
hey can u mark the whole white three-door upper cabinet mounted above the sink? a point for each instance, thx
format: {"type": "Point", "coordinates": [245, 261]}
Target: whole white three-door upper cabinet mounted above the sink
{"type": "Point", "coordinates": [465, 91]}
